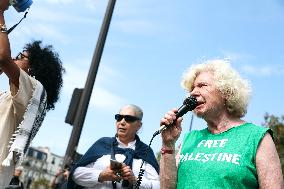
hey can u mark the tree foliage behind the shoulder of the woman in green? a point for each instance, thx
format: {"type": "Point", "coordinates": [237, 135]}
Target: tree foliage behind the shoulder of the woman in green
{"type": "Point", "coordinates": [276, 124]}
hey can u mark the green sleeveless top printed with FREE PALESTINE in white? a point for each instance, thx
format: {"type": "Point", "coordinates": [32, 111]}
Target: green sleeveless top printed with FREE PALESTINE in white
{"type": "Point", "coordinates": [224, 160]}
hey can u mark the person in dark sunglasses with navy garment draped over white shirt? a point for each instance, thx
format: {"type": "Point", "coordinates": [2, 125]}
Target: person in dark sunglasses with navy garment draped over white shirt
{"type": "Point", "coordinates": [95, 171]}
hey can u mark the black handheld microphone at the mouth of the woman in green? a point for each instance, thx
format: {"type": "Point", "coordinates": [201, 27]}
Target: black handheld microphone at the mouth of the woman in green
{"type": "Point", "coordinates": [188, 105]}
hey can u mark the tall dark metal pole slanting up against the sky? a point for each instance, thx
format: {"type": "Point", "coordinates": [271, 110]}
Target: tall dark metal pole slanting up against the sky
{"type": "Point", "coordinates": [87, 91]}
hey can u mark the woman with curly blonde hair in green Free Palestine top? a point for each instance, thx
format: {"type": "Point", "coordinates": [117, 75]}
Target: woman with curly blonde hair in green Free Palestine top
{"type": "Point", "coordinates": [230, 152]}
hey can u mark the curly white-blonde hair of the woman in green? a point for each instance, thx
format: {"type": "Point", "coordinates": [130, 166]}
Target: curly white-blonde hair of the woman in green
{"type": "Point", "coordinates": [235, 90]}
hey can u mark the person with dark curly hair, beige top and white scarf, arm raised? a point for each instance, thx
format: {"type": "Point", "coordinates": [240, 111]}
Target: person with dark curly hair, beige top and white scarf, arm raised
{"type": "Point", "coordinates": [35, 79]}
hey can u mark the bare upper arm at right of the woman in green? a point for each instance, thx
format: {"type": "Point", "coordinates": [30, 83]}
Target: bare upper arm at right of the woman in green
{"type": "Point", "coordinates": [268, 165]}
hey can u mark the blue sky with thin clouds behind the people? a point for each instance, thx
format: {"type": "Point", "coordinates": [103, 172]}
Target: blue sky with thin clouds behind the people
{"type": "Point", "coordinates": [149, 45]}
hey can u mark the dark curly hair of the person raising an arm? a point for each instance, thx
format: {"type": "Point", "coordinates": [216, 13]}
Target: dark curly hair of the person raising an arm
{"type": "Point", "coordinates": [46, 67]}
